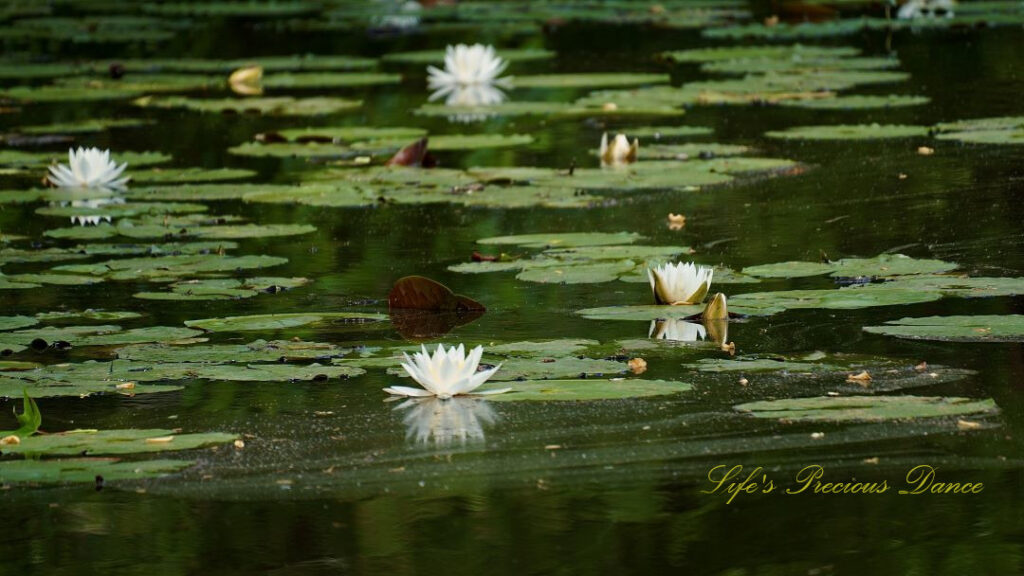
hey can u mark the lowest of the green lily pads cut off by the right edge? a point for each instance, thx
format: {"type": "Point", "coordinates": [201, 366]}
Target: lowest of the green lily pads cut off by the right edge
{"type": "Point", "coordinates": [993, 328]}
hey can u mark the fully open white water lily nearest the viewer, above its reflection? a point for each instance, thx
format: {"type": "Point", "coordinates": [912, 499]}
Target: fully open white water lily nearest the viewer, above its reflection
{"type": "Point", "coordinates": [446, 375]}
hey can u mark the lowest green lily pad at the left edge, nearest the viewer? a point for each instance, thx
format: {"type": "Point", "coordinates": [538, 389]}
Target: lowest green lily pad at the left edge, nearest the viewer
{"type": "Point", "coordinates": [86, 471]}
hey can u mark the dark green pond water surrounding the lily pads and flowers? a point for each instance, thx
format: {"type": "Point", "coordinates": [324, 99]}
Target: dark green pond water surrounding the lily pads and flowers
{"type": "Point", "coordinates": [334, 480]}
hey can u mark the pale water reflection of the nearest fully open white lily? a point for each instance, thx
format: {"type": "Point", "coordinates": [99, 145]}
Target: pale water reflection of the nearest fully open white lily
{"type": "Point", "coordinates": [446, 421]}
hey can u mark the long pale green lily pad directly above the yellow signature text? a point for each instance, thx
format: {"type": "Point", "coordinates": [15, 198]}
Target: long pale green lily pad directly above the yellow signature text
{"type": "Point", "coordinates": [866, 408]}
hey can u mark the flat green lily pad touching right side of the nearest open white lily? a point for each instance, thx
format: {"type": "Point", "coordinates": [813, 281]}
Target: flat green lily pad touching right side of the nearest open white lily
{"type": "Point", "coordinates": [586, 390]}
